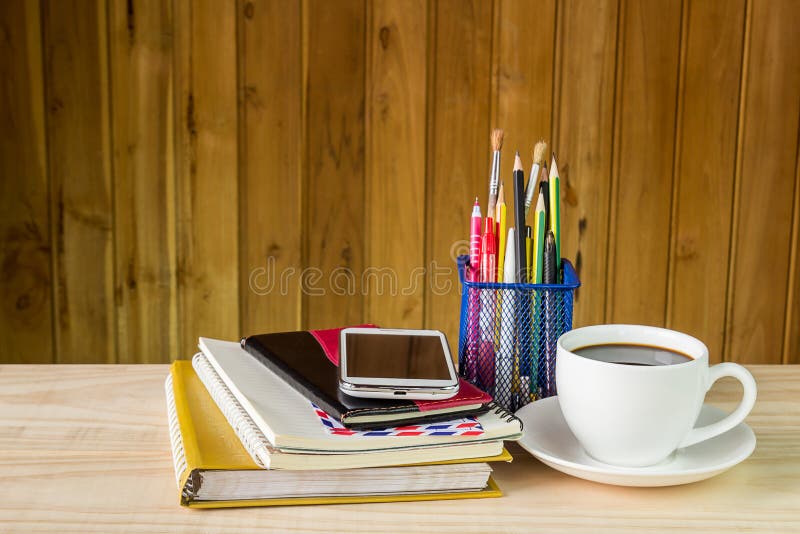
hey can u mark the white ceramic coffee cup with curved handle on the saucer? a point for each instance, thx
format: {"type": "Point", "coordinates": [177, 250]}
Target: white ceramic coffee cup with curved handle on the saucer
{"type": "Point", "coordinates": [634, 416]}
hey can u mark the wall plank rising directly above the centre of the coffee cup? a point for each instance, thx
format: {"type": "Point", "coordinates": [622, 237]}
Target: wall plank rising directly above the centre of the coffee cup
{"type": "Point", "coordinates": [649, 52]}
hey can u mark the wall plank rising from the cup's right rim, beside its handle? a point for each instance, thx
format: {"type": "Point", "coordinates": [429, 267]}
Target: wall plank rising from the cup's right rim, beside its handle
{"type": "Point", "coordinates": [703, 192]}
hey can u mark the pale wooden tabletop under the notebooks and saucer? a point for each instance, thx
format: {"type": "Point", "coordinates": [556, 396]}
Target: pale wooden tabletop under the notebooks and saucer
{"type": "Point", "coordinates": [85, 448]}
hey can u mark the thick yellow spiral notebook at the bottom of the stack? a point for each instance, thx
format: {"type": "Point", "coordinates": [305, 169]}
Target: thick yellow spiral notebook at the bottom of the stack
{"type": "Point", "coordinates": [213, 469]}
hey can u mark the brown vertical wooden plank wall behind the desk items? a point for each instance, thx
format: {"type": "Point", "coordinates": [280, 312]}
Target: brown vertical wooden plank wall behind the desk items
{"type": "Point", "coordinates": [185, 168]}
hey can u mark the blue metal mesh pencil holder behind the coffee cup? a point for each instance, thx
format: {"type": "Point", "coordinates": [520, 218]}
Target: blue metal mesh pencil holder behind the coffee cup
{"type": "Point", "coordinates": [507, 340]}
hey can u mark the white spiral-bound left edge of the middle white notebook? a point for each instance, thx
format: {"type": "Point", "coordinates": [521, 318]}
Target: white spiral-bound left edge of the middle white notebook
{"type": "Point", "coordinates": [246, 430]}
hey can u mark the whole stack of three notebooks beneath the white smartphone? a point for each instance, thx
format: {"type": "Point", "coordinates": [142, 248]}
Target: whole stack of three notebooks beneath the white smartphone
{"type": "Point", "coordinates": [260, 423]}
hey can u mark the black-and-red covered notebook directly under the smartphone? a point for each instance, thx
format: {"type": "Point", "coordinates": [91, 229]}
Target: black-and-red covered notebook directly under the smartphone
{"type": "Point", "coordinates": [308, 362]}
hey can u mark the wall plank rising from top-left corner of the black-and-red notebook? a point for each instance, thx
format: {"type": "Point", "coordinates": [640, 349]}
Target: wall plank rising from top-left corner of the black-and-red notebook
{"type": "Point", "coordinates": [270, 159]}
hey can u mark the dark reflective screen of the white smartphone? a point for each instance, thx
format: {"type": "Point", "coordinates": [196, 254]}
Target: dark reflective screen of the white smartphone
{"type": "Point", "coordinates": [396, 356]}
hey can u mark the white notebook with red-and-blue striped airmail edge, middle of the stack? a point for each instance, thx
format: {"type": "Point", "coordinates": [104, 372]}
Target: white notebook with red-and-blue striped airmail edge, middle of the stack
{"type": "Point", "coordinates": [290, 422]}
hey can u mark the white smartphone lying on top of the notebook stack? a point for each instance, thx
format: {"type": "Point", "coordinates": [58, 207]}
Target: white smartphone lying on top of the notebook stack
{"type": "Point", "coordinates": [385, 363]}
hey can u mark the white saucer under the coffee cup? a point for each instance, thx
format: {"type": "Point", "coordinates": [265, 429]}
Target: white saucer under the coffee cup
{"type": "Point", "coordinates": [547, 437]}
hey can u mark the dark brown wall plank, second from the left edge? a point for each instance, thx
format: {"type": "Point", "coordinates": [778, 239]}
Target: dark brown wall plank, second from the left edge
{"type": "Point", "coordinates": [79, 160]}
